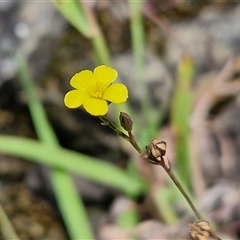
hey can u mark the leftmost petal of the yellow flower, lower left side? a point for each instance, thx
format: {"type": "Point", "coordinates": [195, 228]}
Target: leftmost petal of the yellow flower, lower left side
{"type": "Point", "coordinates": [74, 98]}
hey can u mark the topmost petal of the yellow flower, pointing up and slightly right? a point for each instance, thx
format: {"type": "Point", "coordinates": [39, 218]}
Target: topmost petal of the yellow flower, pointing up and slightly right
{"type": "Point", "coordinates": [104, 76]}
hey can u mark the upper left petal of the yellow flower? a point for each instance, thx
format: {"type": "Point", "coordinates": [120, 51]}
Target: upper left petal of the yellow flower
{"type": "Point", "coordinates": [82, 79]}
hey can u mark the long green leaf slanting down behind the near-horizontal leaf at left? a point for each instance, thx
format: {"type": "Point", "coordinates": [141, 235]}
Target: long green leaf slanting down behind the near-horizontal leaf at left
{"type": "Point", "coordinates": [64, 189]}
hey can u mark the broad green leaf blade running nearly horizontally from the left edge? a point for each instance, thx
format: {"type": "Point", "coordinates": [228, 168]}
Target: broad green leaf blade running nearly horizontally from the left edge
{"type": "Point", "coordinates": [83, 165]}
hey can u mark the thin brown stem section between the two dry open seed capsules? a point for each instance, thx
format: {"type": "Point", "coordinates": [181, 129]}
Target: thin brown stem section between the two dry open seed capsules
{"type": "Point", "coordinates": [179, 186]}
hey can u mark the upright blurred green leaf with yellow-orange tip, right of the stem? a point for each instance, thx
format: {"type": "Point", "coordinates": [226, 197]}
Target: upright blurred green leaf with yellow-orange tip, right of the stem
{"type": "Point", "coordinates": [180, 115]}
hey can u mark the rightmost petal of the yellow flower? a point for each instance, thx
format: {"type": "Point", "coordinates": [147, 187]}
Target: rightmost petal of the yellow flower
{"type": "Point", "coordinates": [116, 93]}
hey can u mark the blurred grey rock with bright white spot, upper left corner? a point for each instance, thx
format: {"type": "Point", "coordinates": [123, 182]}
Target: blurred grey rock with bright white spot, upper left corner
{"type": "Point", "coordinates": [31, 28]}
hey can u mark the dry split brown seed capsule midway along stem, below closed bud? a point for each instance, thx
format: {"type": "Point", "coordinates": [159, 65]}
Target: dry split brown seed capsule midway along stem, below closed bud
{"type": "Point", "coordinates": [156, 149]}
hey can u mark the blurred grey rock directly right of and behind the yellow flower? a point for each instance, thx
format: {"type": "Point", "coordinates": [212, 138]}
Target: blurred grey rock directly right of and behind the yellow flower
{"type": "Point", "coordinates": [156, 76]}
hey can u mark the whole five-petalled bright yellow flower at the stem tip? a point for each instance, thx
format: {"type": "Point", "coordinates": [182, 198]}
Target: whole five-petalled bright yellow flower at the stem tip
{"type": "Point", "coordinates": [94, 90]}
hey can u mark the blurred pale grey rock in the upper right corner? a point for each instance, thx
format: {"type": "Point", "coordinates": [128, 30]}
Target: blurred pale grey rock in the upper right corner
{"type": "Point", "coordinates": [211, 38]}
